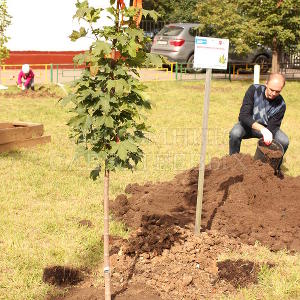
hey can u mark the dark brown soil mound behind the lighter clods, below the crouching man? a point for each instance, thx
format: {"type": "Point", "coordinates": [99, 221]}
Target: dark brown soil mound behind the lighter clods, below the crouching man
{"type": "Point", "coordinates": [242, 199]}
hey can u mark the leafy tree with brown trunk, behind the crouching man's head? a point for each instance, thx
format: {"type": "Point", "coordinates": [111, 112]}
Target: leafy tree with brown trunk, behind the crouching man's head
{"type": "Point", "coordinates": [247, 23]}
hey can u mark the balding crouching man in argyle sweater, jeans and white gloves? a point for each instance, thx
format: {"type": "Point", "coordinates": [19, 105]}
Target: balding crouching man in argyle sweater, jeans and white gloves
{"type": "Point", "coordinates": [261, 114]}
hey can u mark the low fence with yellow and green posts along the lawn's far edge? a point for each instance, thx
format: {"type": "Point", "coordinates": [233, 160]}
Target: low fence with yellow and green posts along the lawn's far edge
{"type": "Point", "coordinates": [63, 73]}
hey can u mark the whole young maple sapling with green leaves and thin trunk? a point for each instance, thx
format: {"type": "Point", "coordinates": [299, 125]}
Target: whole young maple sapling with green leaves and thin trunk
{"type": "Point", "coordinates": [108, 99]}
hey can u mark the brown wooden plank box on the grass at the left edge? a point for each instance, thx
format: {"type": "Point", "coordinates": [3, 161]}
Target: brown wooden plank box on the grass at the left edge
{"type": "Point", "coordinates": [19, 135]}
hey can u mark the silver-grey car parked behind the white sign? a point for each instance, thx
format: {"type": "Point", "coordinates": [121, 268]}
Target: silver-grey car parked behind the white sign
{"type": "Point", "coordinates": [177, 42]}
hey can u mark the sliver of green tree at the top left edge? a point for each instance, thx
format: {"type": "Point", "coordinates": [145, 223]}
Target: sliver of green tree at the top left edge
{"type": "Point", "coordinates": [4, 23]}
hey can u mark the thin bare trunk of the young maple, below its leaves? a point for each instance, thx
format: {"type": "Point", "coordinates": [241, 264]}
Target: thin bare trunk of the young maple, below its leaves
{"type": "Point", "coordinates": [106, 236]}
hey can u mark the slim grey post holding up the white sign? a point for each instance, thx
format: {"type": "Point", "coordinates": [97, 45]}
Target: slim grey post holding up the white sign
{"type": "Point", "coordinates": [203, 152]}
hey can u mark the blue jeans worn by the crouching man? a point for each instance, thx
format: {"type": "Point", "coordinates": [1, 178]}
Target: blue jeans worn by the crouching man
{"type": "Point", "coordinates": [239, 132]}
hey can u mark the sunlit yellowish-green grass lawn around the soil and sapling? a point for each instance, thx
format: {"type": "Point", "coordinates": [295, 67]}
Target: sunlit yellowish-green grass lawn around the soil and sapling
{"type": "Point", "coordinates": [44, 194]}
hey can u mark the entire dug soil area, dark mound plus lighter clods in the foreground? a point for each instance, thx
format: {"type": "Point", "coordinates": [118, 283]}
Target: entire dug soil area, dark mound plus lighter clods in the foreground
{"type": "Point", "coordinates": [163, 259]}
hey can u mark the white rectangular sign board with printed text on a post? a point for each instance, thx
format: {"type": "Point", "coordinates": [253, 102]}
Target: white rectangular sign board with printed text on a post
{"type": "Point", "coordinates": [211, 53]}
